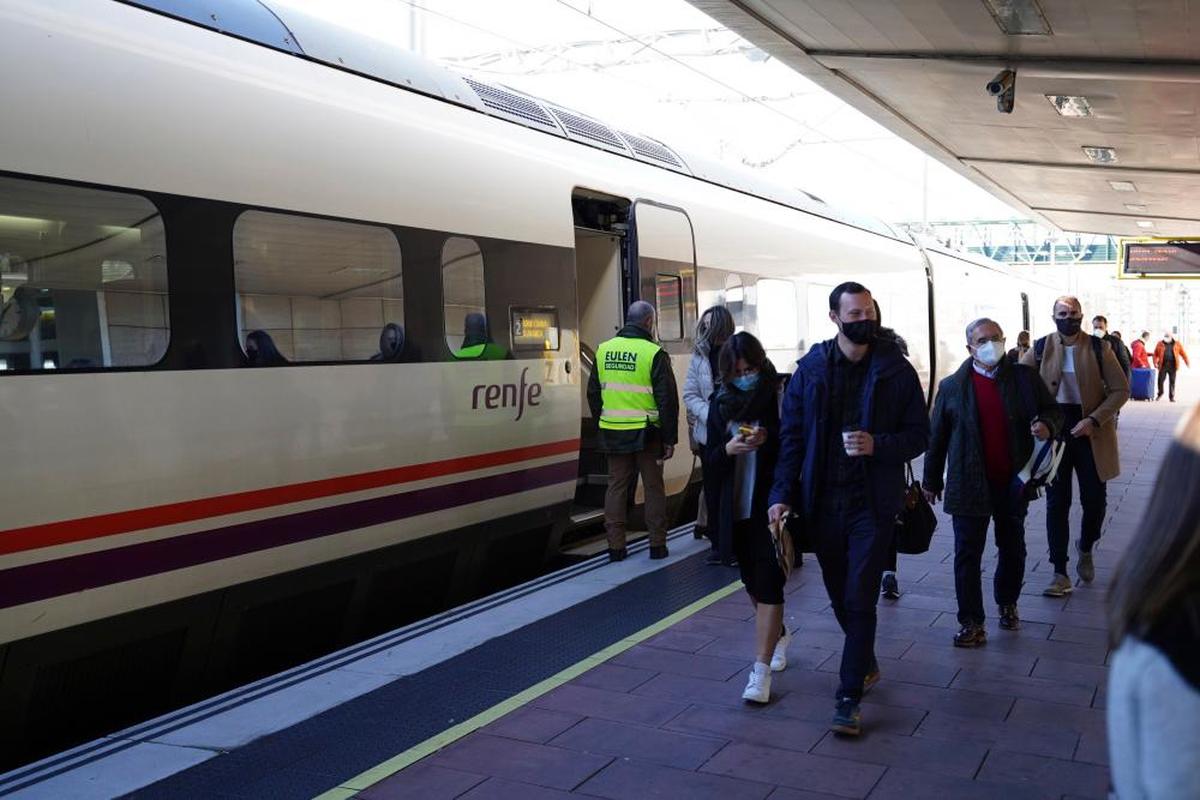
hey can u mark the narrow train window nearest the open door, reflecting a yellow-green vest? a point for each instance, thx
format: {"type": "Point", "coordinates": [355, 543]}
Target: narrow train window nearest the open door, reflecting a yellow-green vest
{"type": "Point", "coordinates": [464, 305]}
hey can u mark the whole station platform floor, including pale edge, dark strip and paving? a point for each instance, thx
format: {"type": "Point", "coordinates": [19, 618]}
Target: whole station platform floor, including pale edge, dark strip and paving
{"type": "Point", "coordinates": [625, 682]}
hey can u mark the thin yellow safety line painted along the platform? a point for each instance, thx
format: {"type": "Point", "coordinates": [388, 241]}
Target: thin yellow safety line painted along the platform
{"type": "Point", "coordinates": [397, 763]}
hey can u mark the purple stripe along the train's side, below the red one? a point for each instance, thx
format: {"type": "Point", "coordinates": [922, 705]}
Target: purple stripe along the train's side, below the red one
{"type": "Point", "coordinates": [34, 582]}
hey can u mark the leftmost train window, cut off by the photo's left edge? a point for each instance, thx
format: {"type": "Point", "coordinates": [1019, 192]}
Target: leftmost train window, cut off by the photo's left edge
{"type": "Point", "coordinates": [83, 279]}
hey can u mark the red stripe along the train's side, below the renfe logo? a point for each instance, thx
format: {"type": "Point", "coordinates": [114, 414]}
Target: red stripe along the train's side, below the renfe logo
{"type": "Point", "coordinates": [123, 522]}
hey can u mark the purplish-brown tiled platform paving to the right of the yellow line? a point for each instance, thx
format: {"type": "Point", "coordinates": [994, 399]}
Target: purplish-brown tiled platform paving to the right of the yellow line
{"type": "Point", "coordinates": [1021, 718]}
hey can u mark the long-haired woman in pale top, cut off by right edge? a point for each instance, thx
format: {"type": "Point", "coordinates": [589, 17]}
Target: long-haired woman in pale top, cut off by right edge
{"type": "Point", "coordinates": [1154, 701]}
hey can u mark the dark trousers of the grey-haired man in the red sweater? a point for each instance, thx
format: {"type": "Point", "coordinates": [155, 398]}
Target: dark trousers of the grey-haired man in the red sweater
{"type": "Point", "coordinates": [971, 539]}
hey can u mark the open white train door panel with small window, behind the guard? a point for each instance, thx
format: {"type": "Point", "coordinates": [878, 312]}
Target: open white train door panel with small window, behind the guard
{"type": "Point", "coordinates": [664, 243]}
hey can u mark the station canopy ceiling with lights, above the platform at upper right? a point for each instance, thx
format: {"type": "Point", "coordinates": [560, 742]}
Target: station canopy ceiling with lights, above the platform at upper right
{"type": "Point", "coordinates": [1103, 131]}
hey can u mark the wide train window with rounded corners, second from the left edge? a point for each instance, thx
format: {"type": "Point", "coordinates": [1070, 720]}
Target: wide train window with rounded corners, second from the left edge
{"type": "Point", "coordinates": [317, 290]}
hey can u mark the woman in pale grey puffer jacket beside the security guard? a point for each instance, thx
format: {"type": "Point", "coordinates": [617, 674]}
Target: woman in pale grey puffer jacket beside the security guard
{"type": "Point", "coordinates": [716, 327]}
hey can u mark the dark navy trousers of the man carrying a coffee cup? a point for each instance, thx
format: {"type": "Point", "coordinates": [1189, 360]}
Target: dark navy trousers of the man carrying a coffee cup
{"type": "Point", "coordinates": [853, 545]}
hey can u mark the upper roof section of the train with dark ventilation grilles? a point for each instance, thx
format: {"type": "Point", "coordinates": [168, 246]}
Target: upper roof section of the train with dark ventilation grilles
{"type": "Point", "coordinates": [304, 37]}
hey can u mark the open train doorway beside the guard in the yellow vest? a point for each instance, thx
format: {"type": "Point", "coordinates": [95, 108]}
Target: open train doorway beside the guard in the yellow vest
{"type": "Point", "coordinates": [603, 279]}
